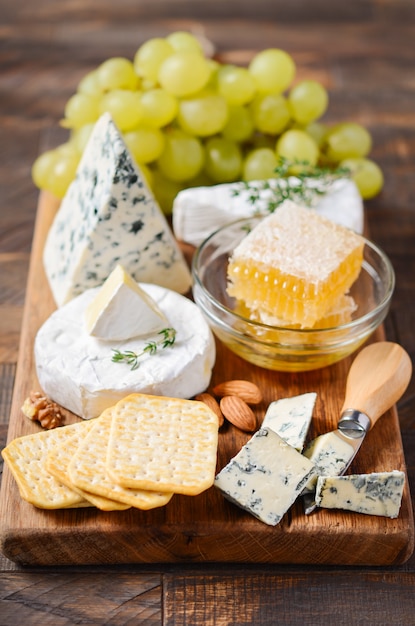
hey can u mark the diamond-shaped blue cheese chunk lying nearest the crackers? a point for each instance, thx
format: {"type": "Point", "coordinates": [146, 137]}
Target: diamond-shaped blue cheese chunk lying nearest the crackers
{"type": "Point", "coordinates": [265, 477]}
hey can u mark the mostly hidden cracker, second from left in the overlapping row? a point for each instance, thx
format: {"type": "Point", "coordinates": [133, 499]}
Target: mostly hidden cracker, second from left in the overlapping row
{"type": "Point", "coordinates": [57, 463]}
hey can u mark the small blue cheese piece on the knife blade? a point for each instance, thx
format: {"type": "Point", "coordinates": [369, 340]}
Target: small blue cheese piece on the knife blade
{"type": "Point", "coordinates": [330, 455]}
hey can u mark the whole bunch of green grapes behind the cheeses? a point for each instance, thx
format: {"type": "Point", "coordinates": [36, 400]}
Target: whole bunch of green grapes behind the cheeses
{"type": "Point", "coordinates": [189, 120]}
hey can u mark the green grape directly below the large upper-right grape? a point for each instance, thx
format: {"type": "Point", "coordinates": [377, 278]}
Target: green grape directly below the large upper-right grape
{"type": "Point", "coordinates": [270, 113]}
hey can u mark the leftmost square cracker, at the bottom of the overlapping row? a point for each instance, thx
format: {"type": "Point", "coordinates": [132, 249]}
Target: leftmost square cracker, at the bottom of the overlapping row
{"type": "Point", "coordinates": [26, 459]}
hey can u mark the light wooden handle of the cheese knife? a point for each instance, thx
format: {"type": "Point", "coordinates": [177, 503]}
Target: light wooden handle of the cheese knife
{"type": "Point", "coordinates": [377, 379]}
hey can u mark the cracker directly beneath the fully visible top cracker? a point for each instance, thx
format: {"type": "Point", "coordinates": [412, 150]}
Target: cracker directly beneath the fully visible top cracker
{"type": "Point", "coordinates": [87, 470]}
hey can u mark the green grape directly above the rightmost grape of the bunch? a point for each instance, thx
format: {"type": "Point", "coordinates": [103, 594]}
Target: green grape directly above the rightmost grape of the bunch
{"type": "Point", "coordinates": [347, 139]}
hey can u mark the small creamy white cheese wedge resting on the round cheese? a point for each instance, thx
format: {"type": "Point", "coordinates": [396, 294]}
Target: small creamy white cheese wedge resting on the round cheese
{"type": "Point", "coordinates": [122, 310]}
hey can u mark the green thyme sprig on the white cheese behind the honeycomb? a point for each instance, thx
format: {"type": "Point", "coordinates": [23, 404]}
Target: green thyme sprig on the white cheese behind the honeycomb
{"type": "Point", "coordinates": [294, 180]}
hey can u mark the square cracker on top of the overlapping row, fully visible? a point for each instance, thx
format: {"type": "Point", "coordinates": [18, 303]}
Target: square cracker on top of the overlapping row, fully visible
{"type": "Point", "coordinates": [163, 443]}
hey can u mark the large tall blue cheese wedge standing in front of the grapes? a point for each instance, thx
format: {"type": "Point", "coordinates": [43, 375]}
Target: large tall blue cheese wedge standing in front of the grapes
{"type": "Point", "coordinates": [109, 216]}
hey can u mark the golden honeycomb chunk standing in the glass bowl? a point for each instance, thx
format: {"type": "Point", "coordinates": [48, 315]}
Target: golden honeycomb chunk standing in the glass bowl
{"type": "Point", "coordinates": [295, 265]}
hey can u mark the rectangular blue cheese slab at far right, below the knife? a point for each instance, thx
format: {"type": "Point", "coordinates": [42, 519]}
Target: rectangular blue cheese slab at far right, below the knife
{"type": "Point", "coordinates": [379, 493]}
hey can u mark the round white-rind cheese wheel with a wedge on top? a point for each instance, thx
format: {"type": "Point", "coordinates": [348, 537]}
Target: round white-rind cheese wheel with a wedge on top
{"type": "Point", "coordinates": [77, 372]}
